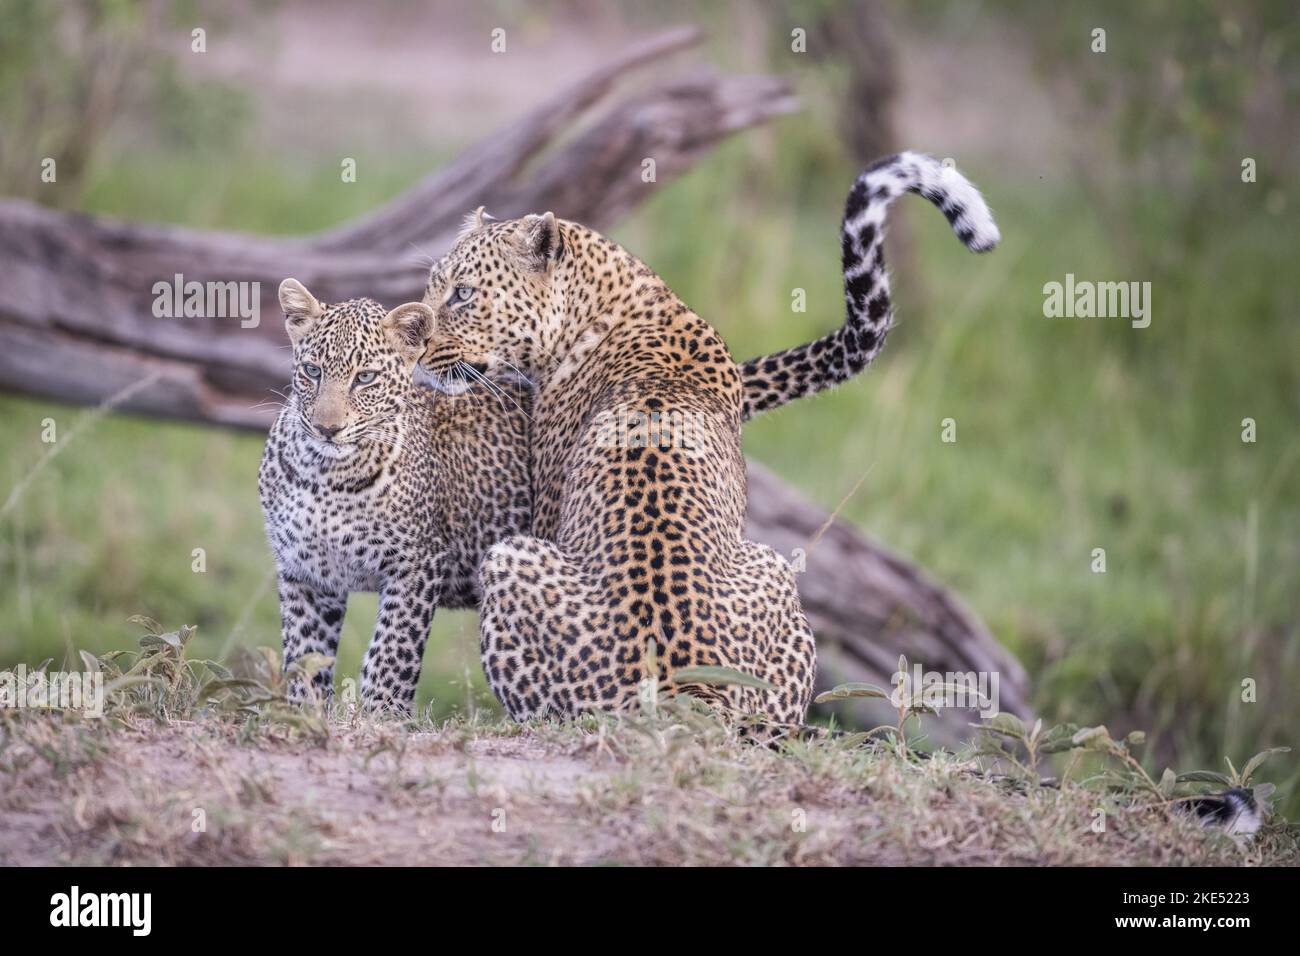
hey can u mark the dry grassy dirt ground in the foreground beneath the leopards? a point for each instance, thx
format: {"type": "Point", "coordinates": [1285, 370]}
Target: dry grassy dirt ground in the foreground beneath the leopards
{"type": "Point", "coordinates": [612, 791]}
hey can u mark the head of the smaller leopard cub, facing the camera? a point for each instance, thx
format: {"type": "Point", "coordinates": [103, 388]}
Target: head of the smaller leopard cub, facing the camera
{"type": "Point", "coordinates": [353, 366]}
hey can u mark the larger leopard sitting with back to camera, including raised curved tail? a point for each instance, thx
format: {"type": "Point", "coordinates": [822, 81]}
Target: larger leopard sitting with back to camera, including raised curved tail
{"type": "Point", "coordinates": [639, 542]}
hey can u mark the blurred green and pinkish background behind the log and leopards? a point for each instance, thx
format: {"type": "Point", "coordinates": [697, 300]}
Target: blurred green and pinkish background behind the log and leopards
{"type": "Point", "coordinates": [1073, 435]}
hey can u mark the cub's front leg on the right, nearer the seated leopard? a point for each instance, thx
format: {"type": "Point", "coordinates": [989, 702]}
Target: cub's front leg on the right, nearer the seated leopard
{"type": "Point", "coordinates": [392, 668]}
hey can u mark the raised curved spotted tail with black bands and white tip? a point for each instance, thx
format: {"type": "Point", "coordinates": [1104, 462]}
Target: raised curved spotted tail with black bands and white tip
{"type": "Point", "coordinates": [777, 379]}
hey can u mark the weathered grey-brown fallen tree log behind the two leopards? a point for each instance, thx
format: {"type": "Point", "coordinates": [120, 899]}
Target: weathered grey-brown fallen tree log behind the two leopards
{"type": "Point", "coordinates": [79, 322]}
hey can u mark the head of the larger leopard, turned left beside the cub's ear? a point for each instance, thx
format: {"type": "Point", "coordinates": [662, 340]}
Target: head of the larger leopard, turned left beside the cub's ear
{"type": "Point", "coordinates": [499, 302]}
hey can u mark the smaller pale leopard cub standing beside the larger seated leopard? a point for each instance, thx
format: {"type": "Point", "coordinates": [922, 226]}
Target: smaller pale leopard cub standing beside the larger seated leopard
{"type": "Point", "coordinates": [348, 488]}
